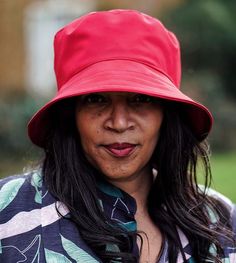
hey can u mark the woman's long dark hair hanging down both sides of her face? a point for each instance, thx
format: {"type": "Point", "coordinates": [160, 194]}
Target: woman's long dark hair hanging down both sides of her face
{"type": "Point", "coordinates": [175, 201]}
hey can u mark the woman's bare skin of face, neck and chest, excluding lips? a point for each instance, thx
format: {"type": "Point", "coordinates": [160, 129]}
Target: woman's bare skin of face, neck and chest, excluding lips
{"type": "Point", "coordinates": [122, 117]}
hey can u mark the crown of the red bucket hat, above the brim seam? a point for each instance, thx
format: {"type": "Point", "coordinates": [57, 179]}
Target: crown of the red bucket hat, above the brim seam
{"type": "Point", "coordinates": [116, 34]}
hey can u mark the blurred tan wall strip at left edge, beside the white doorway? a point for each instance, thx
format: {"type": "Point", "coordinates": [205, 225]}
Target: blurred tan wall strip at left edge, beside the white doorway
{"type": "Point", "coordinates": [12, 55]}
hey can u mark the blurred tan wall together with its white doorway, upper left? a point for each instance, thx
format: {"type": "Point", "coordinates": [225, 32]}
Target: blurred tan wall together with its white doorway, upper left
{"type": "Point", "coordinates": [21, 46]}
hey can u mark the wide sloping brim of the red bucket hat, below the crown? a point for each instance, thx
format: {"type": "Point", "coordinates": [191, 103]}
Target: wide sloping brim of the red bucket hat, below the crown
{"type": "Point", "coordinates": [123, 76]}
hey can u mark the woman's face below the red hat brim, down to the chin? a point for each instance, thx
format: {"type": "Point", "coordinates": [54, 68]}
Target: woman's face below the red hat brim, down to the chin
{"type": "Point", "coordinates": [119, 132]}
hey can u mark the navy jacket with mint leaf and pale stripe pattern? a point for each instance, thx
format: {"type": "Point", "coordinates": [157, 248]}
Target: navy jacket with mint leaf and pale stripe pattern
{"type": "Point", "coordinates": [31, 229]}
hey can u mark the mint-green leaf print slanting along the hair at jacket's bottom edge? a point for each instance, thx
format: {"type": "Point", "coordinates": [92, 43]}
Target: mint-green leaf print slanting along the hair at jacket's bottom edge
{"type": "Point", "coordinates": [75, 252]}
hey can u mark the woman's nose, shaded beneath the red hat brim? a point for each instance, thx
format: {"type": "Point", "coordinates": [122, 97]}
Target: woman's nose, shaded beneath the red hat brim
{"type": "Point", "coordinates": [119, 119]}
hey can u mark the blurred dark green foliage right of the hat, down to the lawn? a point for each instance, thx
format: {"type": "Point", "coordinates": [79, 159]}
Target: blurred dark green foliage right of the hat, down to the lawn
{"type": "Point", "coordinates": [206, 30]}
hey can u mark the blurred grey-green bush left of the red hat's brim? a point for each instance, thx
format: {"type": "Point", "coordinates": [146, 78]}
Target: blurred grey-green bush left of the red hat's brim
{"type": "Point", "coordinates": [15, 111]}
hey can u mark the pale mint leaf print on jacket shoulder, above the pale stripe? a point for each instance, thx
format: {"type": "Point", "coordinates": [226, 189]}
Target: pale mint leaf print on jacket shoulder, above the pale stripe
{"type": "Point", "coordinates": [9, 191]}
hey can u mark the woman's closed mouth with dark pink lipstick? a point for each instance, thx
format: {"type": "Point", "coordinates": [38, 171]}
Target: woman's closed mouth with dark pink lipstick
{"type": "Point", "coordinates": [120, 149]}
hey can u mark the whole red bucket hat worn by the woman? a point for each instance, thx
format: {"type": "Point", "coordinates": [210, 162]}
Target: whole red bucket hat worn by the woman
{"type": "Point", "coordinates": [118, 50]}
